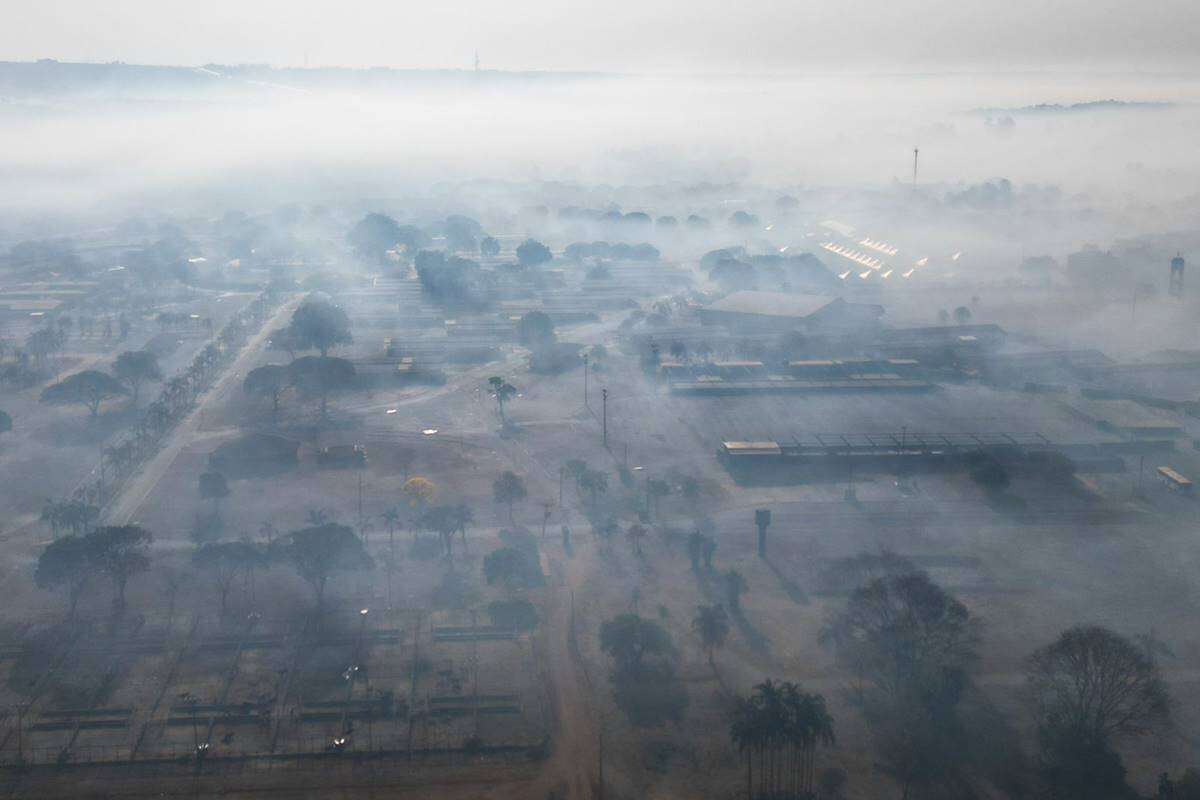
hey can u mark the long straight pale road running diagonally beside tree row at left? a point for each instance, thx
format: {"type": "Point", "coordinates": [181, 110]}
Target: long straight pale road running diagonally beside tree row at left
{"type": "Point", "coordinates": [131, 500]}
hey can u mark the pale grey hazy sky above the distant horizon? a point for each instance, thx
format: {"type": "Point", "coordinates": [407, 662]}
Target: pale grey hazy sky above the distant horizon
{"type": "Point", "coordinates": [615, 35]}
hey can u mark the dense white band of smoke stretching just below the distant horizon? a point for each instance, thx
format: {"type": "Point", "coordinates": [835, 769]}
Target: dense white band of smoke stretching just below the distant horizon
{"type": "Point", "coordinates": [93, 149]}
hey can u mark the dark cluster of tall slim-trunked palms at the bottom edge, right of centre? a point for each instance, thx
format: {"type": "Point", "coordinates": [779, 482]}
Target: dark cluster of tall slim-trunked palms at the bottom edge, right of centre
{"type": "Point", "coordinates": [779, 729]}
